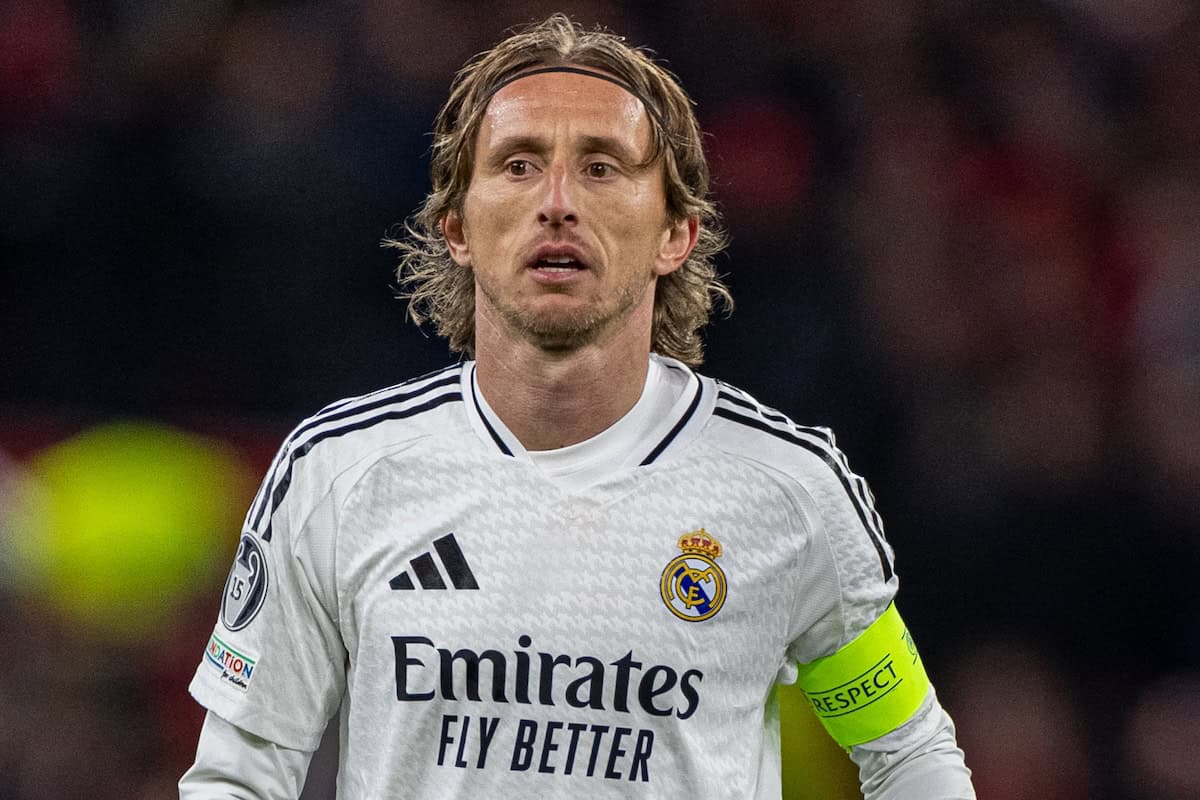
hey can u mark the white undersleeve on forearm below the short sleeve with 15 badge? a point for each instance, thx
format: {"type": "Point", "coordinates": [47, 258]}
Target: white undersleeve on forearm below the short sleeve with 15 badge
{"type": "Point", "coordinates": [235, 765]}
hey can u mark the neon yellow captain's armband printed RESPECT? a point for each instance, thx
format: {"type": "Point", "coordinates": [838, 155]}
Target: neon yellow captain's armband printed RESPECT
{"type": "Point", "coordinates": [869, 688]}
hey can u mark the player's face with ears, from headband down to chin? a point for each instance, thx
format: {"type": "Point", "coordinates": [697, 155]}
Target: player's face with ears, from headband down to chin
{"type": "Point", "coordinates": [563, 225]}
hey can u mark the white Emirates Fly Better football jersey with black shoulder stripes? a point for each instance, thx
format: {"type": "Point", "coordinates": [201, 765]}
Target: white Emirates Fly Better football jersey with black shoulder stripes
{"type": "Point", "coordinates": [608, 621]}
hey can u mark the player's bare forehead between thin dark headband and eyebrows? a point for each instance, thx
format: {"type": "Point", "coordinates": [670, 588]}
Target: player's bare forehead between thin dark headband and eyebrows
{"type": "Point", "coordinates": [562, 100]}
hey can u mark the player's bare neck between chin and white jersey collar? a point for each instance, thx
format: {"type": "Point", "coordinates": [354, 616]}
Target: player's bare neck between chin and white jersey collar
{"type": "Point", "coordinates": [551, 400]}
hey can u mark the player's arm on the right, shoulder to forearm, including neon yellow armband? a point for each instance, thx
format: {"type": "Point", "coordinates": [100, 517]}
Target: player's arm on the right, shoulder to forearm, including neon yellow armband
{"type": "Point", "coordinates": [860, 666]}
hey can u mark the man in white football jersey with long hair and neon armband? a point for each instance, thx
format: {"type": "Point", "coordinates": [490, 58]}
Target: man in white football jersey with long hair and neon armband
{"type": "Point", "coordinates": [566, 567]}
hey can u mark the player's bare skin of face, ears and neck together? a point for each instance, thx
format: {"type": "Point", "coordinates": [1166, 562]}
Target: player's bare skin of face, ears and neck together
{"type": "Point", "coordinates": [562, 354]}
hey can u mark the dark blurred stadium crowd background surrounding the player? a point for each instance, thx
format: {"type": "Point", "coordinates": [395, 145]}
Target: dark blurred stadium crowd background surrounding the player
{"type": "Point", "coordinates": [967, 236]}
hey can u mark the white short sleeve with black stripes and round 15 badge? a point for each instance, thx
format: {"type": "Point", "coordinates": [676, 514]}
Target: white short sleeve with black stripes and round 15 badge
{"type": "Point", "coordinates": [275, 664]}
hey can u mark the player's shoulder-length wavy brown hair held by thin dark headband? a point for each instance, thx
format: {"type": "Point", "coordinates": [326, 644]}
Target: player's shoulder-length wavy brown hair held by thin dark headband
{"type": "Point", "coordinates": [445, 293]}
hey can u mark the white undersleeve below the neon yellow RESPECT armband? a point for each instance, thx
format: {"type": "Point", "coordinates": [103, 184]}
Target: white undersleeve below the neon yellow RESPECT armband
{"type": "Point", "coordinates": [919, 761]}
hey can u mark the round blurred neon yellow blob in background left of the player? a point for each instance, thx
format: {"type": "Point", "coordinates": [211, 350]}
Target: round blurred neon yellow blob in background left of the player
{"type": "Point", "coordinates": [134, 518]}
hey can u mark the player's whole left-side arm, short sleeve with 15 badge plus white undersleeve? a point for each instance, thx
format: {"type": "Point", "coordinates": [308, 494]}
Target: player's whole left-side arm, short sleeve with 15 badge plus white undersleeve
{"type": "Point", "coordinates": [273, 672]}
